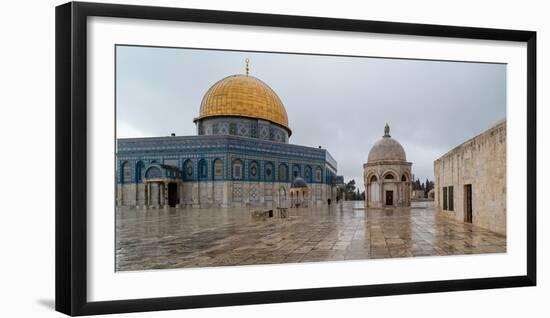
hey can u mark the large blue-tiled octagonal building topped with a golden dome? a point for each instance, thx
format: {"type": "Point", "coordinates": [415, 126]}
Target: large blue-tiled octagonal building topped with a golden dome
{"type": "Point", "coordinates": [241, 156]}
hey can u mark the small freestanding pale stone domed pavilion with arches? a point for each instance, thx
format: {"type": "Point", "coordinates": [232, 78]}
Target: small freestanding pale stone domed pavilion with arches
{"type": "Point", "coordinates": [387, 174]}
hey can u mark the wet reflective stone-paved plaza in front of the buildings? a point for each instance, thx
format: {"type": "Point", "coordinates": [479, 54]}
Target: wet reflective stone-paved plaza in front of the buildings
{"type": "Point", "coordinates": [179, 238]}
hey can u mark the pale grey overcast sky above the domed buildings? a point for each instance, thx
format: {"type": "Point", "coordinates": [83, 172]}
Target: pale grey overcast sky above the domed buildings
{"type": "Point", "coordinates": [340, 103]}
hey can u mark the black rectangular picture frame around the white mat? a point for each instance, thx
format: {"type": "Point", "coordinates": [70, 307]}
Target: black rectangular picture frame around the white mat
{"type": "Point", "coordinates": [71, 157]}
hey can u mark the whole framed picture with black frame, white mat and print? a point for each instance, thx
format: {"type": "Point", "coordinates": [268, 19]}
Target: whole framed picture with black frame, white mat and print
{"type": "Point", "coordinates": [211, 158]}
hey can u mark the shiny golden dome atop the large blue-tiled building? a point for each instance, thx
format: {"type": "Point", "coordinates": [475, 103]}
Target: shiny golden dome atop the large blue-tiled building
{"type": "Point", "coordinates": [243, 96]}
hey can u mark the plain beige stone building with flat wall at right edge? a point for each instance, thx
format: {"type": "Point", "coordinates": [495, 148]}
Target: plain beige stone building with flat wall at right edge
{"type": "Point", "coordinates": [470, 180]}
